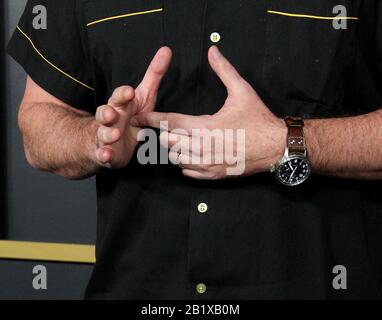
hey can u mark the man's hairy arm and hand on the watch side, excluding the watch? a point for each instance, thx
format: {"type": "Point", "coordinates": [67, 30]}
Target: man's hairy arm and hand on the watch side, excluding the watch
{"type": "Point", "coordinates": [341, 147]}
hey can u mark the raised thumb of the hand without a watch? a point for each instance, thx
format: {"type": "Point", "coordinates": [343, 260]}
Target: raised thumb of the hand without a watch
{"type": "Point", "coordinates": [155, 72]}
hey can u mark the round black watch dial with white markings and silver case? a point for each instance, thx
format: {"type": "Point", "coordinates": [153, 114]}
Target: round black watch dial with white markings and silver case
{"type": "Point", "coordinates": [293, 171]}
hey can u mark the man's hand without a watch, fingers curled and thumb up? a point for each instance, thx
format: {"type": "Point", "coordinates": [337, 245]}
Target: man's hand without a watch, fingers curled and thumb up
{"type": "Point", "coordinates": [117, 139]}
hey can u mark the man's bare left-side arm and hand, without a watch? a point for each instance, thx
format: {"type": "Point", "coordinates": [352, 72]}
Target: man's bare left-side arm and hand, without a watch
{"type": "Point", "coordinates": [75, 144]}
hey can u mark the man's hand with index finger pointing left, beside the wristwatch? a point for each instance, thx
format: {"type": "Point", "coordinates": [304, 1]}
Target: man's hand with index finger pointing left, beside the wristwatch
{"type": "Point", "coordinates": [265, 134]}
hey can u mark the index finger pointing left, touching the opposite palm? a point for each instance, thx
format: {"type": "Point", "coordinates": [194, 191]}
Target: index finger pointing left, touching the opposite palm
{"type": "Point", "coordinates": [169, 121]}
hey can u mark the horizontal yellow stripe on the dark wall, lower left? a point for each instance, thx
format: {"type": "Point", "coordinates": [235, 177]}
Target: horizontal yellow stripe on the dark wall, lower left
{"type": "Point", "coordinates": [44, 251]}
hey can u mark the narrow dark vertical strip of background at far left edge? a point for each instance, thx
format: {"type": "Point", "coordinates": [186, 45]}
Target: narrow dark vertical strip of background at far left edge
{"type": "Point", "coordinates": [2, 122]}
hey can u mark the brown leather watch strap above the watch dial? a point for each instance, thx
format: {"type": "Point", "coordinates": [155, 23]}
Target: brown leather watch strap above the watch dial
{"type": "Point", "coordinates": [295, 137]}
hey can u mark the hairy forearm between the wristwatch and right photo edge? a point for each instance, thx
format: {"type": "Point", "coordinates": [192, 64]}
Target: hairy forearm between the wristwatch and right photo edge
{"type": "Point", "coordinates": [346, 147]}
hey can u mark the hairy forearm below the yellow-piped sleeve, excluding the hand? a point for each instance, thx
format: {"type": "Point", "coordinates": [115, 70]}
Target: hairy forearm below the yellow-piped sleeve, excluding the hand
{"type": "Point", "coordinates": [59, 139]}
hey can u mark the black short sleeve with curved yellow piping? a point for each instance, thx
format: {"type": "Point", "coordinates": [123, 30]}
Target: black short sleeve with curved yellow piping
{"type": "Point", "coordinates": [55, 57]}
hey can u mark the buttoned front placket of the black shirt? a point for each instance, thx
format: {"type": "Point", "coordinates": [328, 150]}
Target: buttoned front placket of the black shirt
{"type": "Point", "coordinates": [202, 214]}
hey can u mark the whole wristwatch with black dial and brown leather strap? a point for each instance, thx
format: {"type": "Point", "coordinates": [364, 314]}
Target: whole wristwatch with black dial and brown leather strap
{"type": "Point", "coordinates": [294, 167]}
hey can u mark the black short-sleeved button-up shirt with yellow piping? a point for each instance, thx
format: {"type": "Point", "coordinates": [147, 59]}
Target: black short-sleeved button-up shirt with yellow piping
{"type": "Point", "coordinates": [256, 239]}
